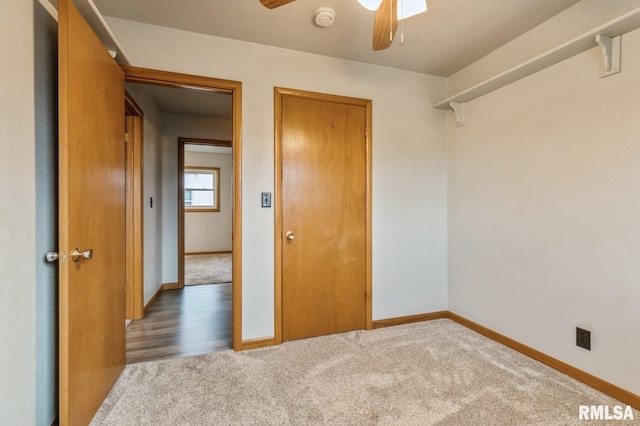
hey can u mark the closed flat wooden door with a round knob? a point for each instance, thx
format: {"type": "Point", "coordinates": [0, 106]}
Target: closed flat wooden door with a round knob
{"type": "Point", "coordinates": [324, 216]}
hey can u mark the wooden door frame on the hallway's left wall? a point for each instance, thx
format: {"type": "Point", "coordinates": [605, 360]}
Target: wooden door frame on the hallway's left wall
{"type": "Point", "coordinates": [134, 205]}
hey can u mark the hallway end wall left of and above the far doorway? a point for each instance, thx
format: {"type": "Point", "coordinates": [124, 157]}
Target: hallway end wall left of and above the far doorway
{"type": "Point", "coordinates": [173, 127]}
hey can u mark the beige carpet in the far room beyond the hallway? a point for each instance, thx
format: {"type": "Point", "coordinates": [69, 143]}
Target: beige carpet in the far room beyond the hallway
{"type": "Point", "coordinates": [207, 269]}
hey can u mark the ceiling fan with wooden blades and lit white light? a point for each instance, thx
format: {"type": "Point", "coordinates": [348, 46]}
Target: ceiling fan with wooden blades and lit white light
{"type": "Point", "coordinates": [386, 22]}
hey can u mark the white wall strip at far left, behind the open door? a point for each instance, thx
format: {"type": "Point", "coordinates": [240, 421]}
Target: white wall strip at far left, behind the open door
{"type": "Point", "coordinates": [17, 216]}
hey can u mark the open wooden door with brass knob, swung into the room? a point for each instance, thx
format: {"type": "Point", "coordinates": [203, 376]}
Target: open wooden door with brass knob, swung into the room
{"type": "Point", "coordinates": [91, 217]}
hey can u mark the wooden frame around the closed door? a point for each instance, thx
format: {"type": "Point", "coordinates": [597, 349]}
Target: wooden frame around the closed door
{"type": "Point", "coordinates": [279, 94]}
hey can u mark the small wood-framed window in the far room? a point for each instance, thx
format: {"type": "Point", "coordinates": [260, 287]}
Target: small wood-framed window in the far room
{"type": "Point", "coordinates": [202, 189]}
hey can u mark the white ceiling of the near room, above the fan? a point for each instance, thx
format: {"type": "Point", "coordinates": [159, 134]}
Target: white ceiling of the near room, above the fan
{"type": "Point", "coordinates": [451, 35]}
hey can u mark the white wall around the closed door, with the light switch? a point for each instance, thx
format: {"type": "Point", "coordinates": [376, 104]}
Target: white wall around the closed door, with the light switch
{"type": "Point", "coordinates": [409, 207]}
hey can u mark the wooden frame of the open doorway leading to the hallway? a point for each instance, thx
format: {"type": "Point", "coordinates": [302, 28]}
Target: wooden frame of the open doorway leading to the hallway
{"type": "Point", "coordinates": [234, 88]}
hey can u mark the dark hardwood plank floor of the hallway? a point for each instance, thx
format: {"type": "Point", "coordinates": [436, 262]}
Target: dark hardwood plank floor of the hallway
{"type": "Point", "coordinates": [193, 321]}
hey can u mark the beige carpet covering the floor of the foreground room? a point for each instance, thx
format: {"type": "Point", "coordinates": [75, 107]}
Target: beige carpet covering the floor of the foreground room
{"type": "Point", "coordinates": [430, 373]}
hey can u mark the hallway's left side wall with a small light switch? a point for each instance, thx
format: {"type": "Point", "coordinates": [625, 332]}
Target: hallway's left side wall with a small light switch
{"type": "Point", "coordinates": [152, 188]}
